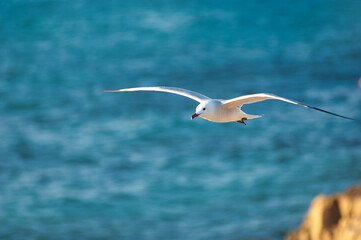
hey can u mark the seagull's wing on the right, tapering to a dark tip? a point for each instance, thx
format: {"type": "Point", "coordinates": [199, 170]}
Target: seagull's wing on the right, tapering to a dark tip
{"type": "Point", "coordinates": [246, 99]}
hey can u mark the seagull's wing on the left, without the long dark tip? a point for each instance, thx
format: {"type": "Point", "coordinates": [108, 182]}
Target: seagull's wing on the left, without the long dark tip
{"type": "Point", "coordinates": [180, 91]}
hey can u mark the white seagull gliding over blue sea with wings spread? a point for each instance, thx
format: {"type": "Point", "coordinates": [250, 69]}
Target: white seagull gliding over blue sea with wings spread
{"type": "Point", "coordinates": [219, 110]}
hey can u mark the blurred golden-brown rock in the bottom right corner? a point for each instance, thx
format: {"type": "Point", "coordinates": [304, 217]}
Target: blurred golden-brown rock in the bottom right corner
{"type": "Point", "coordinates": [334, 217]}
